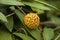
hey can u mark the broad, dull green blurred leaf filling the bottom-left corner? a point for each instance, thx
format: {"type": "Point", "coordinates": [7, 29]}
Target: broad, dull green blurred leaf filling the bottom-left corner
{"type": "Point", "coordinates": [4, 35]}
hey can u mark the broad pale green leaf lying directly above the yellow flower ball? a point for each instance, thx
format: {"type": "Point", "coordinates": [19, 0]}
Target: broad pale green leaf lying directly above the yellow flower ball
{"type": "Point", "coordinates": [36, 5]}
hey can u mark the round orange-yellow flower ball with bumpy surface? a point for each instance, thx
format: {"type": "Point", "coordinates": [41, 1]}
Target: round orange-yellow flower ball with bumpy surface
{"type": "Point", "coordinates": [31, 20]}
